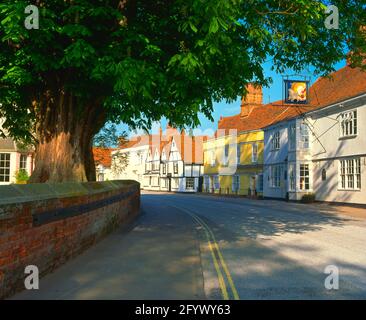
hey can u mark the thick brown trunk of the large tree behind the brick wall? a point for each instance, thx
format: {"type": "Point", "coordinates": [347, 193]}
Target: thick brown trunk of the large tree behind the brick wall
{"type": "Point", "coordinates": [64, 132]}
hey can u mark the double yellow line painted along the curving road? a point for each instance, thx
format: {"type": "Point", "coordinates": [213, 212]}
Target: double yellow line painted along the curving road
{"type": "Point", "coordinates": [218, 260]}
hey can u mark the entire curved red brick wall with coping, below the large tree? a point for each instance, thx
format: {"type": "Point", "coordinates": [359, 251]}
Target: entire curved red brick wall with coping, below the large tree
{"type": "Point", "coordinates": [60, 222]}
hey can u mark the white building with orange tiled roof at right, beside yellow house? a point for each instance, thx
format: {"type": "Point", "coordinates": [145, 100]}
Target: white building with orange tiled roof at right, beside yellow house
{"type": "Point", "coordinates": [321, 148]}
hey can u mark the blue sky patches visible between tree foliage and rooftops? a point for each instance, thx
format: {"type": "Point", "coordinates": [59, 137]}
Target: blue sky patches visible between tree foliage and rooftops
{"type": "Point", "coordinates": [271, 94]}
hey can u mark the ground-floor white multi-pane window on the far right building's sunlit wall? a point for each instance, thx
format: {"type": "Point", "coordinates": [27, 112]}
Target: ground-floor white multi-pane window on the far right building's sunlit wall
{"type": "Point", "coordinates": [350, 174]}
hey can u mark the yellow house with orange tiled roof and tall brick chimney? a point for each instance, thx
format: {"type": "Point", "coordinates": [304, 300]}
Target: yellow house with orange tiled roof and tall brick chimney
{"type": "Point", "coordinates": [234, 156]}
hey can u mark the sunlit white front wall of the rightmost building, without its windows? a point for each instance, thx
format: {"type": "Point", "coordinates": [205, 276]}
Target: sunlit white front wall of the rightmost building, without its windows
{"type": "Point", "coordinates": [329, 148]}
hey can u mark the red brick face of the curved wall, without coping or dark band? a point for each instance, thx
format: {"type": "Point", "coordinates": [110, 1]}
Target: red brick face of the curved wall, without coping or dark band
{"type": "Point", "coordinates": [51, 244]}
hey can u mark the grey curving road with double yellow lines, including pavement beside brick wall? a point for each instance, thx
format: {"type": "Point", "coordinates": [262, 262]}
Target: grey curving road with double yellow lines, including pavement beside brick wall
{"type": "Point", "coordinates": [204, 247]}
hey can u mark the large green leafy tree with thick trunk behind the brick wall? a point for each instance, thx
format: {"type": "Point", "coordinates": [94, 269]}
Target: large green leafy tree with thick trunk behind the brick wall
{"type": "Point", "coordinates": [135, 61]}
